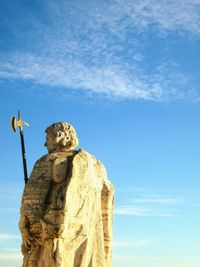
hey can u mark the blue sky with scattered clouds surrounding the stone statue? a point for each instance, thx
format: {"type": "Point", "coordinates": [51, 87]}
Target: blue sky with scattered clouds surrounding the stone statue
{"type": "Point", "coordinates": [125, 74]}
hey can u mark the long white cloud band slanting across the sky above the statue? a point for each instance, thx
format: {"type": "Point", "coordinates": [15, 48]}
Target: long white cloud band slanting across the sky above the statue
{"type": "Point", "coordinates": [109, 80]}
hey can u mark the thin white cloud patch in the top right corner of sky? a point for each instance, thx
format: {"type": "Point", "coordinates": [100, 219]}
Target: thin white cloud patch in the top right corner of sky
{"type": "Point", "coordinates": [167, 15]}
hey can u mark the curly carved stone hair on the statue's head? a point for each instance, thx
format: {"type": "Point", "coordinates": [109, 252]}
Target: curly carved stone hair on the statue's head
{"type": "Point", "coordinates": [65, 133]}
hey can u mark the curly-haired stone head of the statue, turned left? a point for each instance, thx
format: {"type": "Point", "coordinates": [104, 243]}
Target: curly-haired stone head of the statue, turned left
{"type": "Point", "coordinates": [61, 136]}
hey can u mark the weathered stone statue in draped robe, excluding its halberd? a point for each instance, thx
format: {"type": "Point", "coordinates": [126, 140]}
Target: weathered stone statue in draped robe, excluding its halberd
{"type": "Point", "coordinates": [67, 206]}
